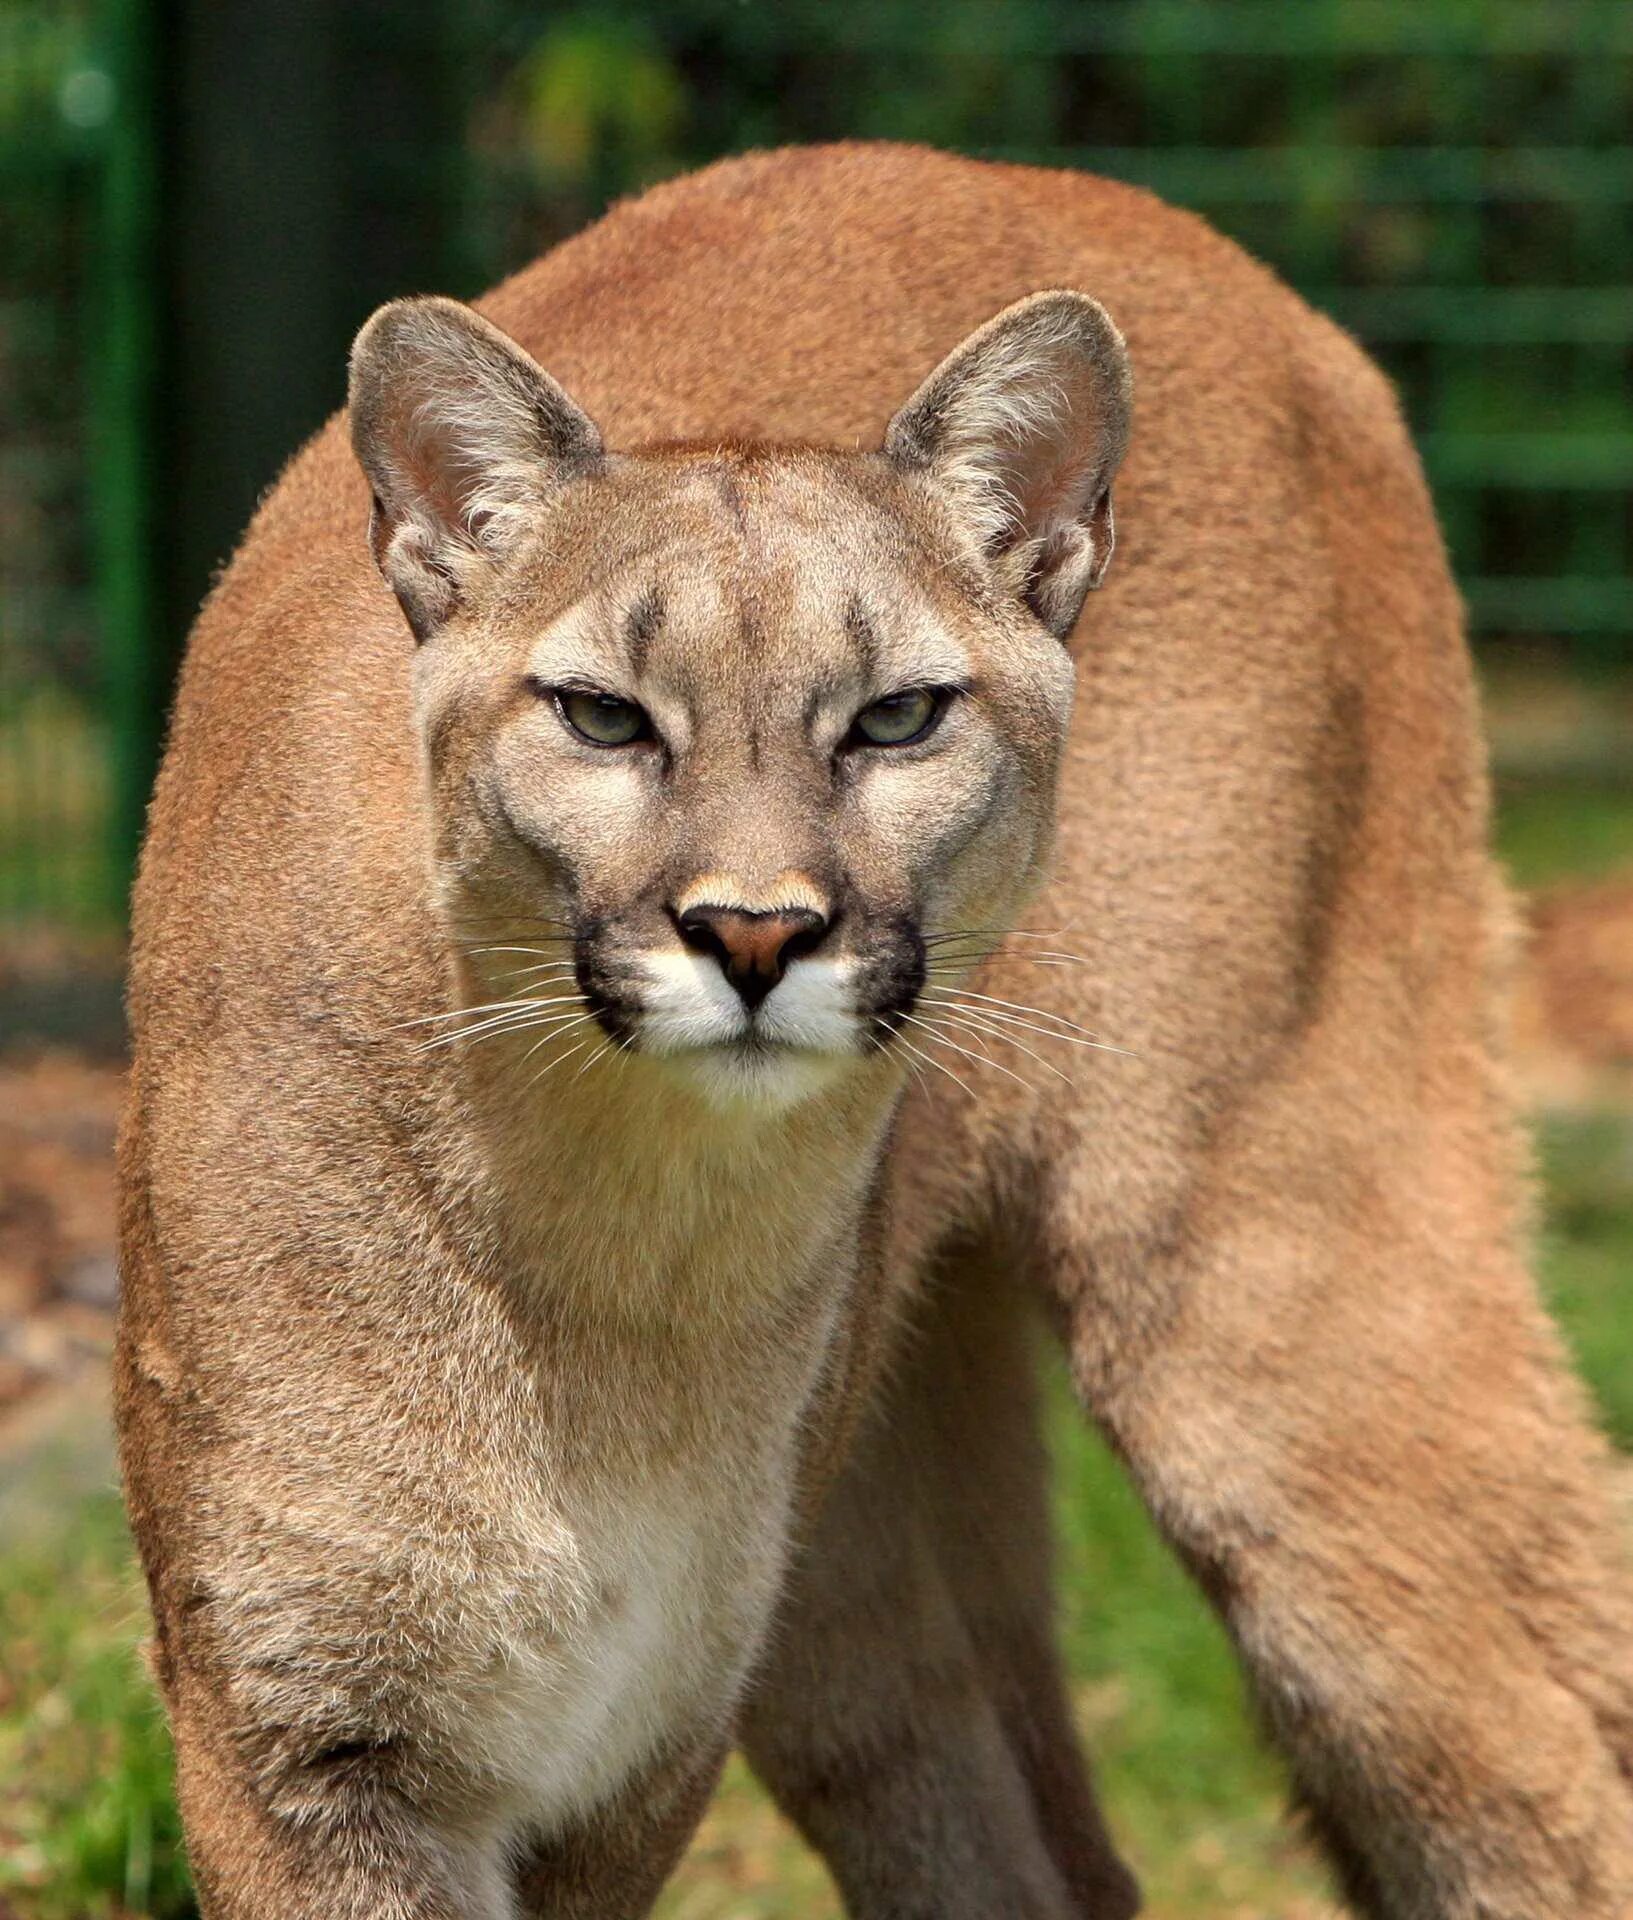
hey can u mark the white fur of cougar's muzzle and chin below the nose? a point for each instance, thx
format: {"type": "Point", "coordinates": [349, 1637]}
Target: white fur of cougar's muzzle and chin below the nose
{"type": "Point", "coordinates": [797, 1042]}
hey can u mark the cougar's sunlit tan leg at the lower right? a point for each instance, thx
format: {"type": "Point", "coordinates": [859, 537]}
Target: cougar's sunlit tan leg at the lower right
{"type": "Point", "coordinates": [1348, 1412]}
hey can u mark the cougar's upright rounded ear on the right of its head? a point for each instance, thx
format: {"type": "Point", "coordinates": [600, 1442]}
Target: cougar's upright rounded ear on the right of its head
{"type": "Point", "coordinates": [1026, 427]}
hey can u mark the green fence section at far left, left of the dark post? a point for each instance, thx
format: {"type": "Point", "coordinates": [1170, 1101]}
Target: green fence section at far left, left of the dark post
{"type": "Point", "coordinates": [78, 661]}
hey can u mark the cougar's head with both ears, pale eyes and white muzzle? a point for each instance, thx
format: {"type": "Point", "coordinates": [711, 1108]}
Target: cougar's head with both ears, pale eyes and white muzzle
{"type": "Point", "coordinates": [742, 742]}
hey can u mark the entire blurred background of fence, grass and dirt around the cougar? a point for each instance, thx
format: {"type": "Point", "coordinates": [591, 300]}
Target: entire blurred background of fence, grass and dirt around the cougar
{"type": "Point", "coordinates": [199, 204]}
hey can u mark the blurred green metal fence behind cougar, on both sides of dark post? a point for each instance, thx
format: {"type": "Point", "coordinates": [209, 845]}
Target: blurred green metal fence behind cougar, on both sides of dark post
{"type": "Point", "coordinates": [1454, 180]}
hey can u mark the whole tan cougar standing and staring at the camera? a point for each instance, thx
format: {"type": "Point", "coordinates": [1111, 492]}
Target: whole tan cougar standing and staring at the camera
{"type": "Point", "coordinates": [674, 932]}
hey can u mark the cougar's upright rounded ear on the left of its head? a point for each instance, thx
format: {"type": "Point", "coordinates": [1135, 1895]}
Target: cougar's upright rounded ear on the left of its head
{"type": "Point", "coordinates": [463, 437]}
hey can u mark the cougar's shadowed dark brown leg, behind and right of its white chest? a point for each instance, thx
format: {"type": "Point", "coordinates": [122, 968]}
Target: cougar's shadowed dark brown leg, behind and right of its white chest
{"type": "Point", "coordinates": [912, 1717]}
